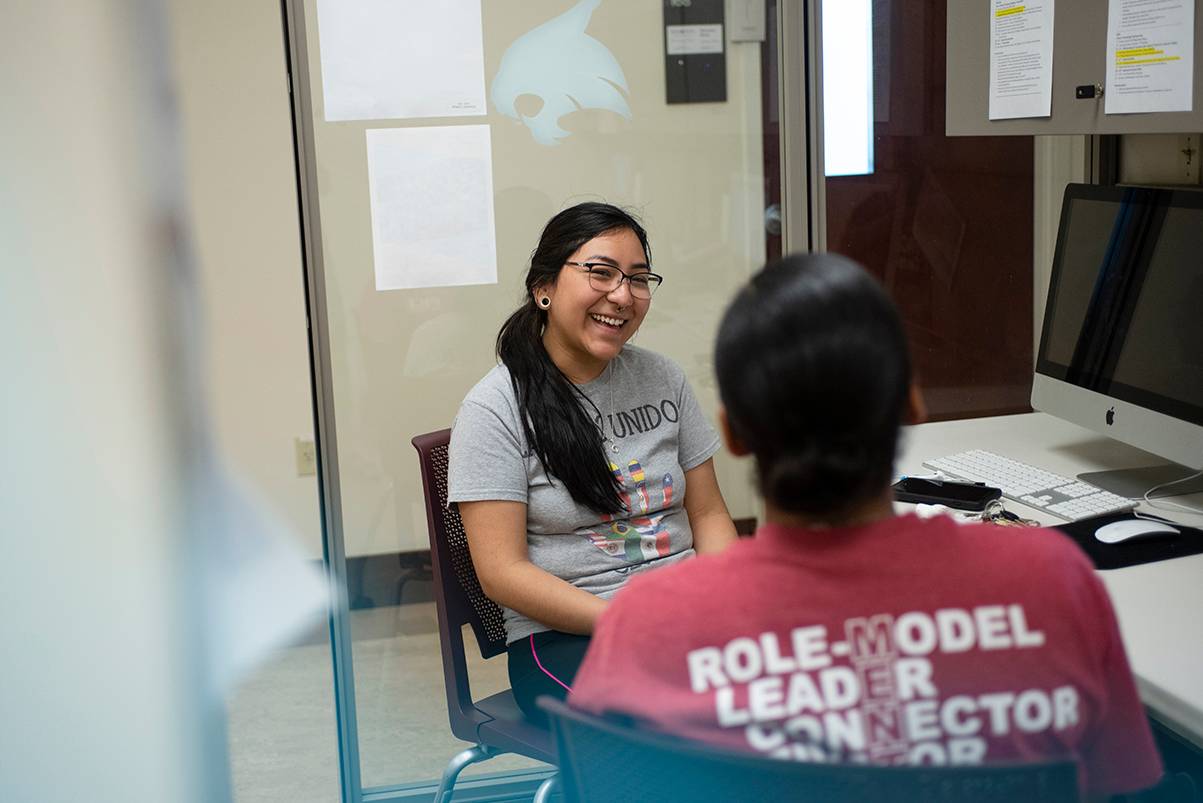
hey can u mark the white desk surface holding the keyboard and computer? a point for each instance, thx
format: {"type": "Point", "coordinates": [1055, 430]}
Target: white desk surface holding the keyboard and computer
{"type": "Point", "coordinates": [1160, 606]}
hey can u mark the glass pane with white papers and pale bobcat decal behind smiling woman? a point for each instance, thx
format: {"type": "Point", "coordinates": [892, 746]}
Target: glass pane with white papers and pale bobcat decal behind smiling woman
{"type": "Point", "coordinates": [560, 103]}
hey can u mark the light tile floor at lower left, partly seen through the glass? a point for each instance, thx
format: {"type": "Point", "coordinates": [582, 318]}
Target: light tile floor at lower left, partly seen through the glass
{"type": "Point", "coordinates": [283, 741]}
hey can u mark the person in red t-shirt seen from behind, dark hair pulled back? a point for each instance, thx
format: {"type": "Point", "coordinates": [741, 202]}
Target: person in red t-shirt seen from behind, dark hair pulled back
{"type": "Point", "coordinates": [843, 631]}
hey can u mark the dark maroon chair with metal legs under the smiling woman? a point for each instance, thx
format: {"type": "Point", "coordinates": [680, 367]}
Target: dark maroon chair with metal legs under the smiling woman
{"type": "Point", "coordinates": [494, 725]}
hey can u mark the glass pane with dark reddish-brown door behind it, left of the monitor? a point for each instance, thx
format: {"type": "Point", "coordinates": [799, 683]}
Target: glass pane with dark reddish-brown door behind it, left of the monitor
{"type": "Point", "coordinates": [946, 223]}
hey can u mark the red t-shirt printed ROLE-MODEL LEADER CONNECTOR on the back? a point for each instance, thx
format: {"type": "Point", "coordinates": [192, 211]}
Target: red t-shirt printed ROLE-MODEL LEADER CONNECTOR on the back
{"type": "Point", "coordinates": [906, 641]}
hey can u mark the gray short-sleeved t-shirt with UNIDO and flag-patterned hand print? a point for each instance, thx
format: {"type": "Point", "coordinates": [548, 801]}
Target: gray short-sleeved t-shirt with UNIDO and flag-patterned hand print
{"type": "Point", "coordinates": [650, 414]}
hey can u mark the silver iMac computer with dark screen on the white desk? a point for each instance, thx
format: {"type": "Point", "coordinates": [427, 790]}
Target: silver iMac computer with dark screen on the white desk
{"type": "Point", "coordinates": [1122, 350]}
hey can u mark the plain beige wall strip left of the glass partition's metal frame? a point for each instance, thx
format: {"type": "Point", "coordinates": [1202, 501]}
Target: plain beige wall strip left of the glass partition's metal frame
{"type": "Point", "coordinates": [234, 103]}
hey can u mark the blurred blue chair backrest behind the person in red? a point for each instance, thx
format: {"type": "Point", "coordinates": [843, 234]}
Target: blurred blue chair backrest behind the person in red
{"type": "Point", "coordinates": [602, 761]}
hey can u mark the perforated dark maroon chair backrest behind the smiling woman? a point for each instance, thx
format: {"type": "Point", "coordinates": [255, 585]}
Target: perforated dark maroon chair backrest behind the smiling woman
{"type": "Point", "coordinates": [458, 593]}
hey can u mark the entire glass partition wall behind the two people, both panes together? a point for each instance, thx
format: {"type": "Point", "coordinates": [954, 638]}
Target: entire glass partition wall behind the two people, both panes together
{"type": "Point", "coordinates": [422, 211]}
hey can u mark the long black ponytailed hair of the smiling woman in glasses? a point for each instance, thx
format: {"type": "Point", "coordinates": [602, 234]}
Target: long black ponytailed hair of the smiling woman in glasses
{"type": "Point", "coordinates": [558, 428]}
